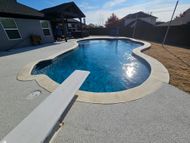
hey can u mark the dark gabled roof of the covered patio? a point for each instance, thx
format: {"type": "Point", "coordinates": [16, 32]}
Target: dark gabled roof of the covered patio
{"type": "Point", "coordinates": [69, 10]}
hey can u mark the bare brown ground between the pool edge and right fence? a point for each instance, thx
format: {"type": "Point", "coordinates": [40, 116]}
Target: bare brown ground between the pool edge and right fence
{"type": "Point", "coordinates": [176, 60]}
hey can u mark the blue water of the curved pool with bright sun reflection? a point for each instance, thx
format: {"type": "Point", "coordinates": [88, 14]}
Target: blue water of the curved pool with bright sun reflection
{"type": "Point", "coordinates": [110, 62]}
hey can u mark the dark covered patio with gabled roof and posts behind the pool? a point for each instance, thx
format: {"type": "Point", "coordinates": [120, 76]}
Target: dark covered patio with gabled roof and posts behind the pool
{"type": "Point", "coordinates": [60, 17]}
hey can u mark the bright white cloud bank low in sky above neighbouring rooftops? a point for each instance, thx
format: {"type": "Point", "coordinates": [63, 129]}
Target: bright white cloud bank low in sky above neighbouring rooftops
{"type": "Point", "coordinates": [160, 8]}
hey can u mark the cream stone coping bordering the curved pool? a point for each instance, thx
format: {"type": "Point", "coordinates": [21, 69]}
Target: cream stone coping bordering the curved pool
{"type": "Point", "coordinates": [158, 75]}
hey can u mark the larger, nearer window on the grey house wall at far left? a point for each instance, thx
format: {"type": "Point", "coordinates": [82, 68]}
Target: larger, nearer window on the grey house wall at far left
{"type": "Point", "coordinates": [10, 28]}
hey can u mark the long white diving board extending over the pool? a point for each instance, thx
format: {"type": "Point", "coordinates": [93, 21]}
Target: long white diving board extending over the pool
{"type": "Point", "coordinates": [38, 125]}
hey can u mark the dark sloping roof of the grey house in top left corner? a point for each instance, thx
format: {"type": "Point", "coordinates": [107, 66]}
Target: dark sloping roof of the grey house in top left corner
{"type": "Point", "coordinates": [11, 7]}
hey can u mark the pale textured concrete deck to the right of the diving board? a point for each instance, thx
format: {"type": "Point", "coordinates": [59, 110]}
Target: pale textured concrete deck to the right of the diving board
{"type": "Point", "coordinates": [162, 117]}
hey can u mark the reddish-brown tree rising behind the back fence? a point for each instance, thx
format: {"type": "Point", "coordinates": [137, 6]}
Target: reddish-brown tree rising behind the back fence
{"type": "Point", "coordinates": [112, 21]}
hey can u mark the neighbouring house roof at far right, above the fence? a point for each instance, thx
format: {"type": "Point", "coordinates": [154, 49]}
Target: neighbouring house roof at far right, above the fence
{"type": "Point", "coordinates": [182, 20]}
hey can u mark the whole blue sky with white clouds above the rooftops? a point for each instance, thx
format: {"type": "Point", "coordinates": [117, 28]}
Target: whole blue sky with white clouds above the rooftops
{"type": "Point", "coordinates": [97, 11]}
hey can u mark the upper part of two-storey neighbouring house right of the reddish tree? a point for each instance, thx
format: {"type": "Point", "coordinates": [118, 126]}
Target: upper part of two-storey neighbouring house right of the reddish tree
{"type": "Point", "coordinates": [138, 16]}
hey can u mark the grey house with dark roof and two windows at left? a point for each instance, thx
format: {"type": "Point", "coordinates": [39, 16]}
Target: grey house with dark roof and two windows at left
{"type": "Point", "coordinates": [18, 22]}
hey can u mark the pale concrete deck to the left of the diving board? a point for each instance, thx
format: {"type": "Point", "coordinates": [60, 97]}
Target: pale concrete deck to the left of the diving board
{"type": "Point", "coordinates": [14, 102]}
